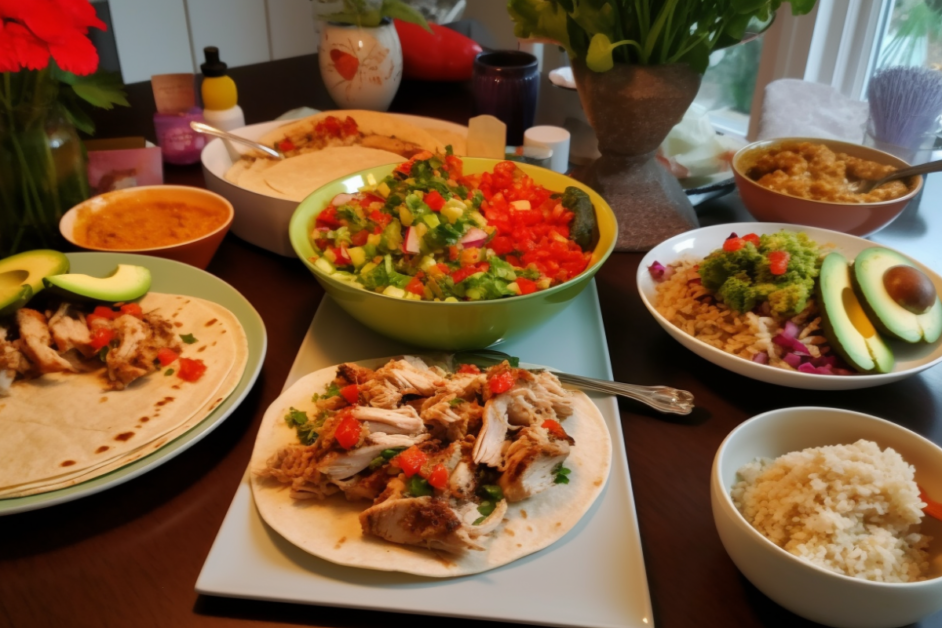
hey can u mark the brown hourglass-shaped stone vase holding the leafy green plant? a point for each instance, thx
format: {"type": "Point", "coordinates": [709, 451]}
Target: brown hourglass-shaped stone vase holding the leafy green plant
{"type": "Point", "coordinates": [632, 109]}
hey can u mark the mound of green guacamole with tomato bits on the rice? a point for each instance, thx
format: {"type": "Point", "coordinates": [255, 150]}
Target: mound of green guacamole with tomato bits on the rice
{"type": "Point", "coordinates": [779, 268]}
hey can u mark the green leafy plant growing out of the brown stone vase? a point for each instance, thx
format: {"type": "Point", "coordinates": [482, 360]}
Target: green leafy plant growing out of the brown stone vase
{"type": "Point", "coordinates": [645, 32]}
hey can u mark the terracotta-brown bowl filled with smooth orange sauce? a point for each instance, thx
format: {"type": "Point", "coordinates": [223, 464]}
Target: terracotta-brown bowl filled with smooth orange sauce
{"type": "Point", "coordinates": [196, 251]}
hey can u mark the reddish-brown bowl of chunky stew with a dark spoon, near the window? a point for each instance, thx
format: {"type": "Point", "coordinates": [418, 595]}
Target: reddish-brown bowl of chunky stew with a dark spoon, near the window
{"type": "Point", "coordinates": [860, 219]}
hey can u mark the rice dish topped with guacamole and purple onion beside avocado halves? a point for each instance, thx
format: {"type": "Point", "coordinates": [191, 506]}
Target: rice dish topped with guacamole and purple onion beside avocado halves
{"type": "Point", "coordinates": [752, 298]}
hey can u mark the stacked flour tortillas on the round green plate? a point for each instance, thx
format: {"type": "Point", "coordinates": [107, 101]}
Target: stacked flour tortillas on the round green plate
{"type": "Point", "coordinates": [65, 428]}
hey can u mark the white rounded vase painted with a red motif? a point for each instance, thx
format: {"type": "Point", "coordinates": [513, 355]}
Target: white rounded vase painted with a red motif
{"type": "Point", "coordinates": [361, 66]}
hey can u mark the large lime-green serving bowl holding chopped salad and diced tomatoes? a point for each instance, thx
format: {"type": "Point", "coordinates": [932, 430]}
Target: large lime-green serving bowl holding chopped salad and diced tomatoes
{"type": "Point", "coordinates": [436, 324]}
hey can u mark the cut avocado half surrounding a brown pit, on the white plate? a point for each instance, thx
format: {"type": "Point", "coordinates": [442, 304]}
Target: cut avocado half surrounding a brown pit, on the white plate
{"type": "Point", "coordinates": [888, 316]}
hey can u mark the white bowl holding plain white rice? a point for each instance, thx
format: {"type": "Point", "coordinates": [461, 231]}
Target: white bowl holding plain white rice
{"type": "Point", "coordinates": [803, 588]}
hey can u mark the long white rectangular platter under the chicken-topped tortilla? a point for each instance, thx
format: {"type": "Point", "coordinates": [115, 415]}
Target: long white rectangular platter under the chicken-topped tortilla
{"type": "Point", "coordinates": [594, 576]}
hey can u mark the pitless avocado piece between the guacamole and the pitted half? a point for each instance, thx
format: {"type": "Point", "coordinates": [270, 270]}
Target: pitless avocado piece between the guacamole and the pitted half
{"type": "Point", "coordinates": [846, 326]}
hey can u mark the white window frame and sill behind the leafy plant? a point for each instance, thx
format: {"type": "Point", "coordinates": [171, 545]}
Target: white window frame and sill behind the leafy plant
{"type": "Point", "coordinates": [834, 45]}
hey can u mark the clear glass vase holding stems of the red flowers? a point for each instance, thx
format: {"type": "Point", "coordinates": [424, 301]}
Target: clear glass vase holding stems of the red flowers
{"type": "Point", "coordinates": [43, 169]}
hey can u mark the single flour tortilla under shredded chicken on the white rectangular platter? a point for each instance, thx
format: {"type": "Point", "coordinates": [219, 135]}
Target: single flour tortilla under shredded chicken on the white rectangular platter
{"type": "Point", "coordinates": [330, 529]}
